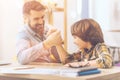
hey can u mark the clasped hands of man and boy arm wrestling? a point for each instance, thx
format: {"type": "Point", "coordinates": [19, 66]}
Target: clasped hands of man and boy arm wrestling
{"type": "Point", "coordinates": [53, 38]}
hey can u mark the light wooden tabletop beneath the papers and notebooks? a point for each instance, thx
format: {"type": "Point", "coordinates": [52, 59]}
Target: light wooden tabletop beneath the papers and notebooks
{"type": "Point", "coordinates": [106, 74]}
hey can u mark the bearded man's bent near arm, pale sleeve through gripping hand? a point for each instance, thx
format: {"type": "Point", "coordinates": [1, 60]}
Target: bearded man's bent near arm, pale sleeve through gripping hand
{"type": "Point", "coordinates": [27, 53]}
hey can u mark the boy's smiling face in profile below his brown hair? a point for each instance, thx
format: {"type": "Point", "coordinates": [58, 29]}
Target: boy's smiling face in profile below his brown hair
{"type": "Point", "coordinates": [80, 43]}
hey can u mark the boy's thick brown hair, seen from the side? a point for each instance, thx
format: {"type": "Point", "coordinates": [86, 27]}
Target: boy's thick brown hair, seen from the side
{"type": "Point", "coordinates": [88, 30]}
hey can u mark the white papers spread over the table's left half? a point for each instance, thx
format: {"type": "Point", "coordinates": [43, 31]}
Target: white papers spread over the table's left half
{"type": "Point", "coordinates": [28, 70]}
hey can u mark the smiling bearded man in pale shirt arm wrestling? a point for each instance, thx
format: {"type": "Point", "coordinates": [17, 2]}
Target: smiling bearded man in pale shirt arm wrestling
{"type": "Point", "coordinates": [36, 43]}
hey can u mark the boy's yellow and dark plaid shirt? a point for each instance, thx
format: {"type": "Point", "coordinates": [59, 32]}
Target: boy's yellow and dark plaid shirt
{"type": "Point", "coordinates": [99, 53]}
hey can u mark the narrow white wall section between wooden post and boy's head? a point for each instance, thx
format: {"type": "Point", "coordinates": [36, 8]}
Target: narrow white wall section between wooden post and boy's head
{"type": "Point", "coordinates": [72, 16]}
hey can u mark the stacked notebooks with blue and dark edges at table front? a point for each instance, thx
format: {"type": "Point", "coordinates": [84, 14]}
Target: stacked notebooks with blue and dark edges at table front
{"type": "Point", "coordinates": [79, 71]}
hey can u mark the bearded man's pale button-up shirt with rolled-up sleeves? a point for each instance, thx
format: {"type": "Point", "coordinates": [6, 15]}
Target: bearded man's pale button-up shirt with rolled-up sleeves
{"type": "Point", "coordinates": [30, 47]}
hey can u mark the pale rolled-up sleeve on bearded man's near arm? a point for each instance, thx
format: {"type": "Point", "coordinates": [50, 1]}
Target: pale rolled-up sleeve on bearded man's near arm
{"type": "Point", "coordinates": [27, 53]}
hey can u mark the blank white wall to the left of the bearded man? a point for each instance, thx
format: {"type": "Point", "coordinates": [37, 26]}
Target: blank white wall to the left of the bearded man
{"type": "Point", "coordinates": [10, 20]}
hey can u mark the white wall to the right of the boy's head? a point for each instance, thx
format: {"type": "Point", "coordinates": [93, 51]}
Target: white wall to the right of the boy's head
{"type": "Point", "coordinates": [106, 16]}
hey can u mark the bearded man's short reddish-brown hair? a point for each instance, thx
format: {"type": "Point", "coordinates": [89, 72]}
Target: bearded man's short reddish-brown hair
{"type": "Point", "coordinates": [32, 5]}
